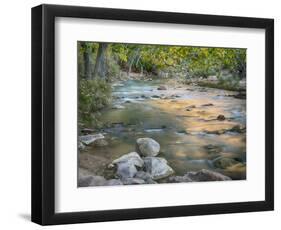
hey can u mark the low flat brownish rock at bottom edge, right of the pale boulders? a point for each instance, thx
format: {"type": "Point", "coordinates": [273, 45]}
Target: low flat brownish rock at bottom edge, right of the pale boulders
{"type": "Point", "coordinates": [202, 175]}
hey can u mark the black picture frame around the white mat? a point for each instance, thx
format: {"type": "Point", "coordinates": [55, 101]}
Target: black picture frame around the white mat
{"type": "Point", "coordinates": [43, 114]}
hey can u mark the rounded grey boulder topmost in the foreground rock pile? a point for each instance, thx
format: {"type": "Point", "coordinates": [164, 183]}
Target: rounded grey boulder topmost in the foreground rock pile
{"type": "Point", "coordinates": [147, 147]}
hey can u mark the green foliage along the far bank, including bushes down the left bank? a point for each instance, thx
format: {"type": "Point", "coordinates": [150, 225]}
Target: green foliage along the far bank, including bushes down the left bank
{"type": "Point", "coordinates": [172, 61]}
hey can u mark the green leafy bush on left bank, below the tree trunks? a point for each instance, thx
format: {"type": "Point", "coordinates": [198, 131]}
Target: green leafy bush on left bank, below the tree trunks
{"type": "Point", "coordinates": [93, 96]}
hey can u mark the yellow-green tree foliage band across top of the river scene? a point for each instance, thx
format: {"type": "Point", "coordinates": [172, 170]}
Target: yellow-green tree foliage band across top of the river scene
{"type": "Point", "coordinates": [195, 61]}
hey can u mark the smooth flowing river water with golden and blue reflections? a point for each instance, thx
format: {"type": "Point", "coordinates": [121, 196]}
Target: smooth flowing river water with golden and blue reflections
{"type": "Point", "coordinates": [182, 119]}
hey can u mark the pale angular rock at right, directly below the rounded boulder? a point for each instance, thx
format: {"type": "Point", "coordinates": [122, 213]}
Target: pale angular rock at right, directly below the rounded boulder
{"type": "Point", "coordinates": [157, 167]}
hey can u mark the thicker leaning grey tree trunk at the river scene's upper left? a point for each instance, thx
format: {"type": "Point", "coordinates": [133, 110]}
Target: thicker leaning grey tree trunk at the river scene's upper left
{"type": "Point", "coordinates": [100, 66]}
